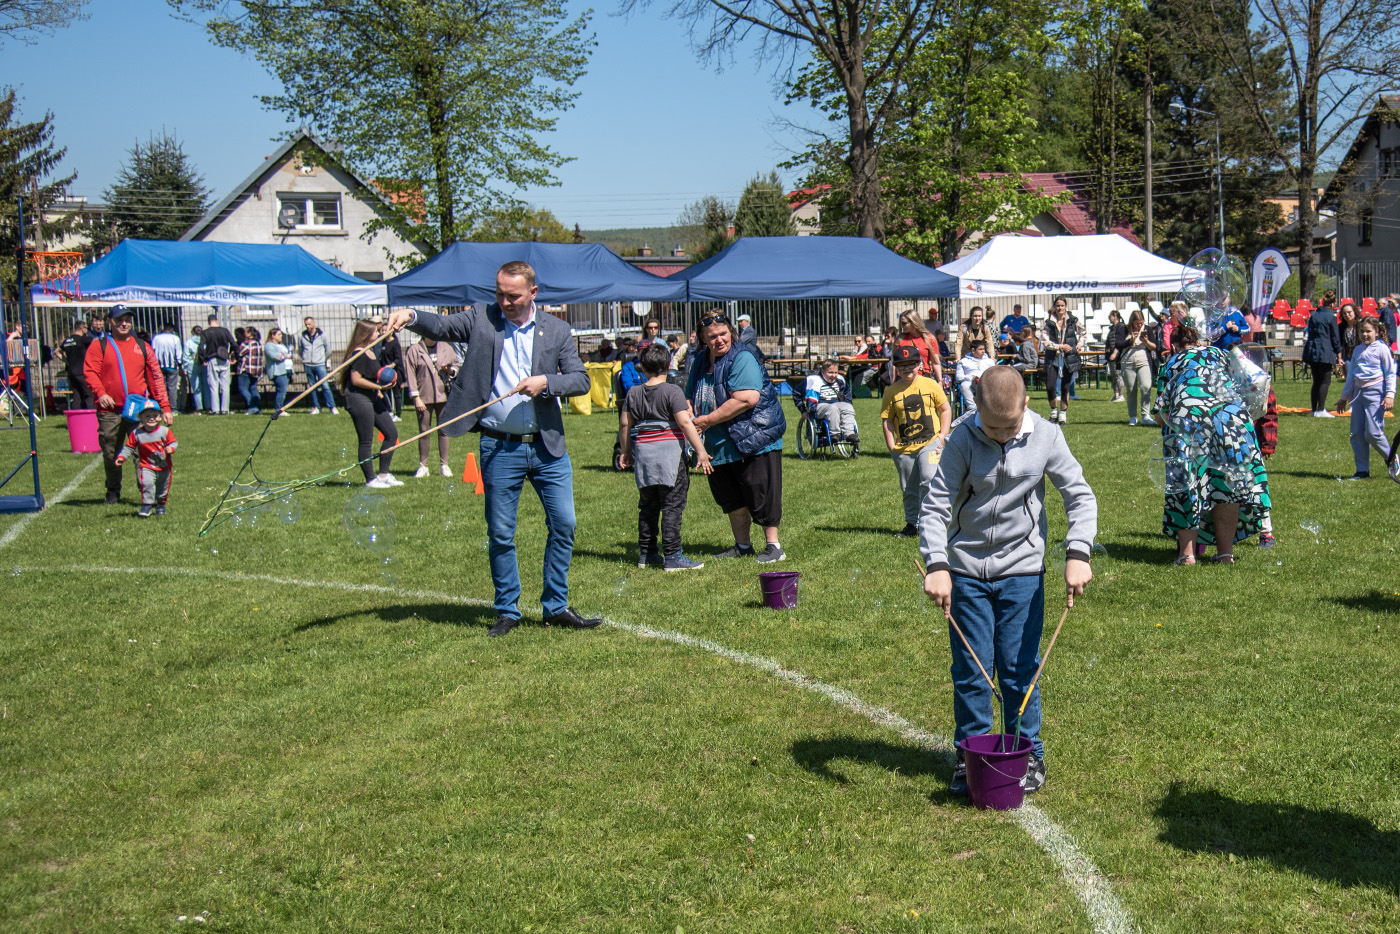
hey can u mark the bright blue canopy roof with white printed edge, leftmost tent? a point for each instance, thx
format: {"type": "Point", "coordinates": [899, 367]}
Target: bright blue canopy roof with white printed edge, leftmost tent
{"type": "Point", "coordinates": [160, 272]}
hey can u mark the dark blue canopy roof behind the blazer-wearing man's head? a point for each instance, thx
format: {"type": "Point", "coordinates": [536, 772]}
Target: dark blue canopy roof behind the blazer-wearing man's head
{"type": "Point", "coordinates": [465, 274]}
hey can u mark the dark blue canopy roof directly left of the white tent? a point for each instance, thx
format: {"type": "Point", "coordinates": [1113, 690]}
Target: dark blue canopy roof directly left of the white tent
{"type": "Point", "coordinates": [813, 268]}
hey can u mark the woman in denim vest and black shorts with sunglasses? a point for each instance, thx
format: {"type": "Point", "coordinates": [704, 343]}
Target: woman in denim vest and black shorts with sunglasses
{"type": "Point", "coordinates": [741, 421]}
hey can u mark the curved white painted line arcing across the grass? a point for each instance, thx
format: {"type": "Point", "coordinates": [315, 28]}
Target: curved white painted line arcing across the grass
{"type": "Point", "coordinates": [1077, 869]}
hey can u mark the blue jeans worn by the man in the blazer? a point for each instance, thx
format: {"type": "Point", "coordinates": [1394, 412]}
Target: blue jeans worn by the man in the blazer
{"type": "Point", "coordinates": [506, 466]}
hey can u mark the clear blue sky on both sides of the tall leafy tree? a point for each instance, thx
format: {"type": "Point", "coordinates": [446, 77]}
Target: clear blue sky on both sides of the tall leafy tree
{"type": "Point", "coordinates": [653, 131]}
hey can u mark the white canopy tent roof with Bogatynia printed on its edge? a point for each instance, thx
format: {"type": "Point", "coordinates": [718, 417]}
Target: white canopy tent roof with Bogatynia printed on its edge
{"type": "Point", "coordinates": [1011, 265]}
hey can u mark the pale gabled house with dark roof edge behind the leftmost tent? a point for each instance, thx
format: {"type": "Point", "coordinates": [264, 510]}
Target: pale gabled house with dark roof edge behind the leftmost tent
{"type": "Point", "coordinates": [314, 204]}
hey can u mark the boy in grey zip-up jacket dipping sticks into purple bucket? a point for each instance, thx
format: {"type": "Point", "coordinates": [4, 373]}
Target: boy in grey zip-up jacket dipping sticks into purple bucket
{"type": "Point", "coordinates": [983, 534]}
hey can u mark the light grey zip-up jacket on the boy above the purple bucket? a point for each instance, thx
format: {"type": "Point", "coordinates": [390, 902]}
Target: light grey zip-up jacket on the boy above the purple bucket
{"type": "Point", "coordinates": [985, 515]}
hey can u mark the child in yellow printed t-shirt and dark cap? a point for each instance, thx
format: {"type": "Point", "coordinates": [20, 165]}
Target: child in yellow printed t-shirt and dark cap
{"type": "Point", "coordinates": [916, 418]}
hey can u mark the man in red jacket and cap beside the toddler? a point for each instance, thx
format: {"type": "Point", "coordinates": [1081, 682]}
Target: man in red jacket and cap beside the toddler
{"type": "Point", "coordinates": [104, 379]}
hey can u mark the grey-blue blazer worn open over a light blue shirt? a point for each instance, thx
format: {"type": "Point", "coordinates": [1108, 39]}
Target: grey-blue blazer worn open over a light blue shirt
{"type": "Point", "coordinates": [484, 333]}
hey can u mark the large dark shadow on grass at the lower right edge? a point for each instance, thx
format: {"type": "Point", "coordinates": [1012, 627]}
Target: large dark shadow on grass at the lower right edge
{"type": "Point", "coordinates": [1329, 845]}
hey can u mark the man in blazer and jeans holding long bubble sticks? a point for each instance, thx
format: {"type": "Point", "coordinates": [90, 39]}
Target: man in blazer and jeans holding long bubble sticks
{"type": "Point", "coordinates": [513, 348]}
